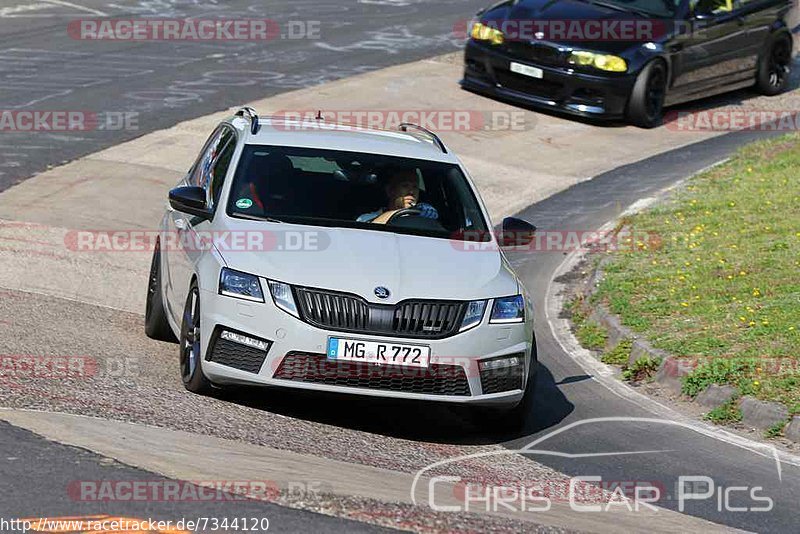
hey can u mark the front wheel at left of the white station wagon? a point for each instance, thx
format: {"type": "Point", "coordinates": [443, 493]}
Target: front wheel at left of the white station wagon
{"type": "Point", "coordinates": [191, 346]}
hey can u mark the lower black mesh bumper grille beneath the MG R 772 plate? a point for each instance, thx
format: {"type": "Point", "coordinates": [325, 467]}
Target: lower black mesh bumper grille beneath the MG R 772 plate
{"type": "Point", "coordinates": [316, 368]}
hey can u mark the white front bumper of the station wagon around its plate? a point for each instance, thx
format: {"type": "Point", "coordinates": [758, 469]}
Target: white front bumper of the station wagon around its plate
{"type": "Point", "coordinates": [296, 347]}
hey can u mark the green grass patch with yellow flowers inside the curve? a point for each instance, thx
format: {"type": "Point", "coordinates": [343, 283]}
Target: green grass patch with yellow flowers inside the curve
{"type": "Point", "coordinates": [712, 273]}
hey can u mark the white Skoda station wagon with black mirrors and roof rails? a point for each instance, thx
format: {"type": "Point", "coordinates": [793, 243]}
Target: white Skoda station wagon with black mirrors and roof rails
{"type": "Point", "coordinates": [305, 254]}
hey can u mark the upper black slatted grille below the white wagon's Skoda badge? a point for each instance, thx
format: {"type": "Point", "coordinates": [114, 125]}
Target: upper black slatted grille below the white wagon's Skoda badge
{"type": "Point", "coordinates": [350, 313]}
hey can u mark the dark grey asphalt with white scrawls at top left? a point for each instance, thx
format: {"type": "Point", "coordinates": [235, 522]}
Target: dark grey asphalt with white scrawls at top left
{"type": "Point", "coordinates": [43, 68]}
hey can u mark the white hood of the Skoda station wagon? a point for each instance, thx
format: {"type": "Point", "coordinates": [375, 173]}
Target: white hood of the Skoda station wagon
{"type": "Point", "coordinates": [357, 261]}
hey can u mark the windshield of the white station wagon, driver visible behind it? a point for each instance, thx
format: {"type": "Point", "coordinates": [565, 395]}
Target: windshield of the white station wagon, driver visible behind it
{"type": "Point", "coordinates": [350, 189]}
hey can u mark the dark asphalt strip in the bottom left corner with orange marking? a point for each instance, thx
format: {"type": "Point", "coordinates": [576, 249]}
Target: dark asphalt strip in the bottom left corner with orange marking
{"type": "Point", "coordinates": [42, 479]}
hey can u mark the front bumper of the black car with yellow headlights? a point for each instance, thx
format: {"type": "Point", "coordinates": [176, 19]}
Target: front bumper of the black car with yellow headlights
{"type": "Point", "coordinates": [562, 89]}
